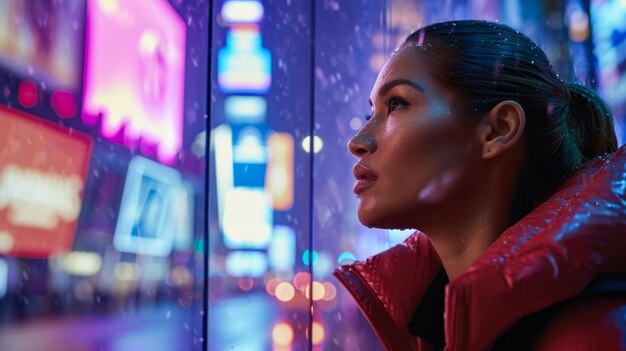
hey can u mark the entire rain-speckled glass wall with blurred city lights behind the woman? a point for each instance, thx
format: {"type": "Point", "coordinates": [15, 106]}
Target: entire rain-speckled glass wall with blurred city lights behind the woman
{"type": "Point", "coordinates": [104, 197]}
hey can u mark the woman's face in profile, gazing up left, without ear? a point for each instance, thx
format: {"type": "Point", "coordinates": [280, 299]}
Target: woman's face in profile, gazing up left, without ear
{"type": "Point", "coordinates": [415, 158]}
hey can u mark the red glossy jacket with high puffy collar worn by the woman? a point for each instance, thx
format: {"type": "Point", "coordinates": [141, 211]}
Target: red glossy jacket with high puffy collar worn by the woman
{"type": "Point", "coordinates": [550, 255]}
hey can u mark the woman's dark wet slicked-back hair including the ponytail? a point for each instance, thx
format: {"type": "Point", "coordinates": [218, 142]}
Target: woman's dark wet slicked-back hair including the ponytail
{"type": "Point", "coordinates": [485, 63]}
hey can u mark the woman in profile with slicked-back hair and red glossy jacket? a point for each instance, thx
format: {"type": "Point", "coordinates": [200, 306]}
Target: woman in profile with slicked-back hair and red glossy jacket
{"type": "Point", "coordinates": [475, 142]}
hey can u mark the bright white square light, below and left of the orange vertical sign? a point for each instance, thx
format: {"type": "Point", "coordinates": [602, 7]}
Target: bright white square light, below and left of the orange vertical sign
{"type": "Point", "coordinates": [248, 218]}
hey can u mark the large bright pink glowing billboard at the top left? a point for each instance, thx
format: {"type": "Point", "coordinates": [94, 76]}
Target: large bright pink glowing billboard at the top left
{"type": "Point", "coordinates": [134, 73]}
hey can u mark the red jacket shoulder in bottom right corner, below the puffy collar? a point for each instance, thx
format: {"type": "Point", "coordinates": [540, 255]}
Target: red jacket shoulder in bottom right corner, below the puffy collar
{"type": "Point", "coordinates": [589, 323]}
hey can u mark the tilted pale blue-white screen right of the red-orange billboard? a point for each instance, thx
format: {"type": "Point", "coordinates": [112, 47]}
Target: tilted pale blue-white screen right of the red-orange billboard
{"type": "Point", "coordinates": [147, 220]}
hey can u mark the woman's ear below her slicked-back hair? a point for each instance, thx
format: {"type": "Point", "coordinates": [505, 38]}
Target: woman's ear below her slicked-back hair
{"type": "Point", "coordinates": [502, 128]}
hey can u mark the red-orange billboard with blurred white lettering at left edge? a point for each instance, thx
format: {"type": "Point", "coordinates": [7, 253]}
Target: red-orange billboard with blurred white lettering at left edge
{"type": "Point", "coordinates": [43, 170]}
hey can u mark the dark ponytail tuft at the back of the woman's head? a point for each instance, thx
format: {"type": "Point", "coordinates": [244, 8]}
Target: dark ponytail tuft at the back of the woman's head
{"type": "Point", "coordinates": [590, 122]}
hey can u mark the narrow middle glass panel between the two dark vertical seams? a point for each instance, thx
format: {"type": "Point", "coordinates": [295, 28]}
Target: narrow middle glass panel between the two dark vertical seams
{"type": "Point", "coordinates": [260, 176]}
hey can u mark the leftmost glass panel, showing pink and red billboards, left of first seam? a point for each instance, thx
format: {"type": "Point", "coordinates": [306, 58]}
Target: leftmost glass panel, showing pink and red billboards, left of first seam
{"type": "Point", "coordinates": [102, 174]}
